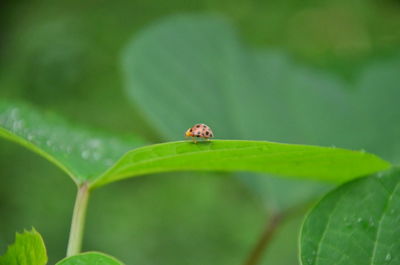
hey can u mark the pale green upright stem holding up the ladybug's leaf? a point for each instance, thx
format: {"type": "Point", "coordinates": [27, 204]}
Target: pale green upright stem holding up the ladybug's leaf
{"type": "Point", "coordinates": [78, 220]}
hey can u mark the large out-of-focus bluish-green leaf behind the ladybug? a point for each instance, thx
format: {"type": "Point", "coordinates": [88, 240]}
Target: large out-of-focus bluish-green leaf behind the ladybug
{"type": "Point", "coordinates": [191, 68]}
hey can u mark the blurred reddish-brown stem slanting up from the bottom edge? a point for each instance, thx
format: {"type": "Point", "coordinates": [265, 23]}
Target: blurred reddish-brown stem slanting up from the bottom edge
{"type": "Point", "coordinates": [262, 244]}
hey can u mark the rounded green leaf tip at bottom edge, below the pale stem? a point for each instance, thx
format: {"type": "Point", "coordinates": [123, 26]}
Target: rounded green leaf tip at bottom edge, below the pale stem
{"type": "Point", "coordinates": [90, 258]}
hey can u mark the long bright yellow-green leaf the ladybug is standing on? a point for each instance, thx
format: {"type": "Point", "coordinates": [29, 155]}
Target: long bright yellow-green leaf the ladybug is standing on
{"type": "Point", "coordinates": [299, 161]}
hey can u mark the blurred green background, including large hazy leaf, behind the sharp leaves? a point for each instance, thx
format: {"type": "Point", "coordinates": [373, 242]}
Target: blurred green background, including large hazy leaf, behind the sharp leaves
{"type": "Point", "coordinates": [93, 62]}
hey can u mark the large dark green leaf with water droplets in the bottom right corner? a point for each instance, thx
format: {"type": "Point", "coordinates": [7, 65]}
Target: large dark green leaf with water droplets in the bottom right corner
{"type": "Point", "coordinates": [358, 223]}
